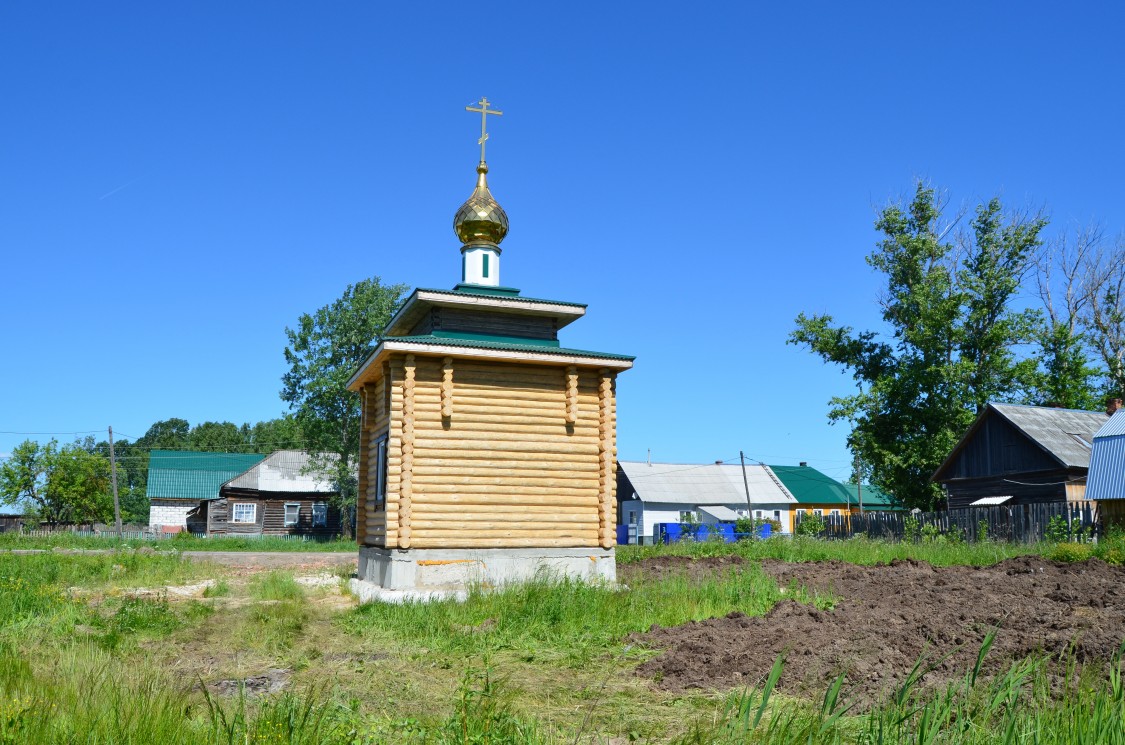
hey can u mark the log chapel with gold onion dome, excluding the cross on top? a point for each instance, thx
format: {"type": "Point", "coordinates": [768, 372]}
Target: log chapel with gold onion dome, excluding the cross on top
{"type": "Point", "coordinates": [489, 448]}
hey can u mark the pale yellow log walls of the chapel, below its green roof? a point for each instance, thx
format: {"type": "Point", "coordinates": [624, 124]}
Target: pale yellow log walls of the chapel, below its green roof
{"type": "Point", "coordinates": [492, 455]}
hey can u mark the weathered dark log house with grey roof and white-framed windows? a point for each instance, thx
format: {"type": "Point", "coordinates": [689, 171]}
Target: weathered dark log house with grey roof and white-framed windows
{"type": "Point", "coordinates": [277, 497]}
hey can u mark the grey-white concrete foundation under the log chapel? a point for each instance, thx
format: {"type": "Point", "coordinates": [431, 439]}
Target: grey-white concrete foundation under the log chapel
{"type": "Point", "coordinates": [448, 571]}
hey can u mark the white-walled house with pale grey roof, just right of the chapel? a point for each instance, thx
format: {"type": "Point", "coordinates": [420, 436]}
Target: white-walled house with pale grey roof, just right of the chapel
{"type": "Point", "coordinates": [661, 492]}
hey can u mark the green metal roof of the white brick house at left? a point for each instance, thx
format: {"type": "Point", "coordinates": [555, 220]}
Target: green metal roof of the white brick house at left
{"type": "Point", "coordinates": [191, 475]}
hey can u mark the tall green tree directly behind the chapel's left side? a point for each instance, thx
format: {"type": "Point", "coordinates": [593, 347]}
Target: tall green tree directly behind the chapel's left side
{"type": "Point", "coordinates": [325, 352]}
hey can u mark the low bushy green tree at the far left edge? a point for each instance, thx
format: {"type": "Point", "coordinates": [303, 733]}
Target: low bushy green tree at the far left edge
{"type": "Point", "coordinates": [68, 484]}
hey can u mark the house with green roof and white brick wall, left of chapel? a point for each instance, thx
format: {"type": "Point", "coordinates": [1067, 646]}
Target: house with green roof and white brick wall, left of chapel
{"type": "Point", "coordinates": [179, 481]}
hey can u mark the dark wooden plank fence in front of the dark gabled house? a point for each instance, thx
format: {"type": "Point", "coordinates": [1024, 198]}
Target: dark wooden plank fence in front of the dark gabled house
{"type": "Point", "coordinates": [1018, 524]}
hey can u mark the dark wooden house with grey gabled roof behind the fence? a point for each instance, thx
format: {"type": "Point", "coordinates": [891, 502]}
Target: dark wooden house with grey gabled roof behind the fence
{"type": "Point", "coordinates": [1021, 455]}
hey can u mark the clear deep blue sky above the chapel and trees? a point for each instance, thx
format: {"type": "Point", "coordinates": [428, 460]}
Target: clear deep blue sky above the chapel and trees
{"type": "Point", "coordinates": [178, 183]}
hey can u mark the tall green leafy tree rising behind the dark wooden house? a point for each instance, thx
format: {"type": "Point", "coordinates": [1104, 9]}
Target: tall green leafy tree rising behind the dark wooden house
{"type": "Point", "coordinates": [951, 338]}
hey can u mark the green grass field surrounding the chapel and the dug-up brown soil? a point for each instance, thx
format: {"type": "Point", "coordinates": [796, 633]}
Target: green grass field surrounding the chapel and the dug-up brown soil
{"type": "Point", "coordinates": [103, 649]}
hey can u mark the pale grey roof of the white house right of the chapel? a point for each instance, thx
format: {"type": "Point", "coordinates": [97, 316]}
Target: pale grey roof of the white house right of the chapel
{"type": "Point", "coordinates": [704, 484]}
